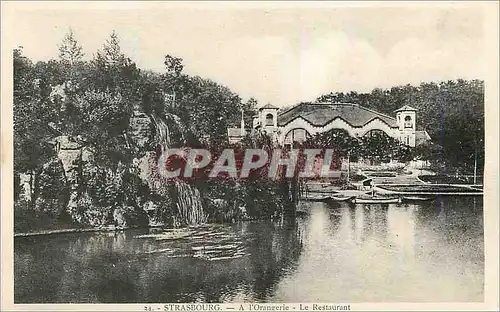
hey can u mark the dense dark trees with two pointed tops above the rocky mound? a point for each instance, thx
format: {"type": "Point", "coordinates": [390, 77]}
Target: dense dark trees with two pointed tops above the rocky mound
{"type": "Point", "coordinates": [94, 100]}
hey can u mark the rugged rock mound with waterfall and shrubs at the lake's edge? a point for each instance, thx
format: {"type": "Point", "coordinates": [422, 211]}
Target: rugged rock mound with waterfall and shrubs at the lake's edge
{"type": "Point", "coordinates": [72, 185]}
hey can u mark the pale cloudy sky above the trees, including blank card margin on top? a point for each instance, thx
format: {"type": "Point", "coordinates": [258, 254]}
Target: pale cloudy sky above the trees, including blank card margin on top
{"type": "Point", "coordinates": [278, 53]}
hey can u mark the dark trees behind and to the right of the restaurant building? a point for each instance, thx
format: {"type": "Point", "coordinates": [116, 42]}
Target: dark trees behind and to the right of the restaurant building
{"type": "Point", "coordinates": [452, 112]}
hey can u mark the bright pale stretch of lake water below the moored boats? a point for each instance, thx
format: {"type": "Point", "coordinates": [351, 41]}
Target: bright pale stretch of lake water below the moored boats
{"type": "Point", "coordinates": [395, 252]}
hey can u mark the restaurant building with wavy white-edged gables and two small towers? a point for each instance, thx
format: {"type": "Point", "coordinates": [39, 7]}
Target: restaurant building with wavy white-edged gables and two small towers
{"type": "Point", "coordinates": [298, 123]}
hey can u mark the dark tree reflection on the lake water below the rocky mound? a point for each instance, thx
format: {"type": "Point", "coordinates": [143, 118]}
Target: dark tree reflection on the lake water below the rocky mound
{"type": "Point", "coordinates": [118, 267]}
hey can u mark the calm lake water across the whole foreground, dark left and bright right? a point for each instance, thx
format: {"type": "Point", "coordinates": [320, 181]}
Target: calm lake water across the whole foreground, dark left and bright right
{"type": "Point", "coordinates": [424, 252]}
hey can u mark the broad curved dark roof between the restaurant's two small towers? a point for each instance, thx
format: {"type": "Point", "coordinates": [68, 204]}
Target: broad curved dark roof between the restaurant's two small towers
{"type": "Point", "coordinates": [320, 114]}
